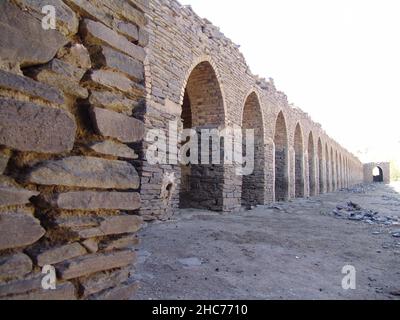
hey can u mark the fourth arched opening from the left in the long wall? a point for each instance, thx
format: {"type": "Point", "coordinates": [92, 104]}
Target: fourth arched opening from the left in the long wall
{"type": "Point", "coordinates": [299, 162]}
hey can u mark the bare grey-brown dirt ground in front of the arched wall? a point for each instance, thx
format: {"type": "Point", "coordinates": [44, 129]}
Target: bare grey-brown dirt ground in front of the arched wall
{"type": "Point", "coordinates": [294, 251]}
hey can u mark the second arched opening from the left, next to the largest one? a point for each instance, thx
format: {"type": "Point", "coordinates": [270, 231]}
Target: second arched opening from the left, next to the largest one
{"type": "Point", "coordinates": [253, 185]}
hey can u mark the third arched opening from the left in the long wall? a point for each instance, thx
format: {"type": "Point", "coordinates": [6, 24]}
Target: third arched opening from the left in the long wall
{"type": "Point", "coordinates": [281, 159]}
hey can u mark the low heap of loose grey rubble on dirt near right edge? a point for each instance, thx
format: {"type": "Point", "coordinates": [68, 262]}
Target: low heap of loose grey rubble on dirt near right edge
{"type": "Point", "coordinates": [354, 212]}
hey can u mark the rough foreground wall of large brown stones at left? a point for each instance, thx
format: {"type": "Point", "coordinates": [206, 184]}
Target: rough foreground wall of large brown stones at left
{"type": "Point", "coordinates": [69, 188]}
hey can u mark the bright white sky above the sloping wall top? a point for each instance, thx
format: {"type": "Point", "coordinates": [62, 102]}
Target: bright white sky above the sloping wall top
{"type": "Point", "coordinates": [338, 60]}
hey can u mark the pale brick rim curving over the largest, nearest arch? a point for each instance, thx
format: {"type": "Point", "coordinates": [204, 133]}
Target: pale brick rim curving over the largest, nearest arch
{"type": "Point", "coordinates": [196, 62]}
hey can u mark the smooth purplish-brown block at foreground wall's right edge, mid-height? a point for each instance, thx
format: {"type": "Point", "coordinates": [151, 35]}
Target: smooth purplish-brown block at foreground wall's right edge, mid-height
{"type": "Point", "coordinates": [116, 125]}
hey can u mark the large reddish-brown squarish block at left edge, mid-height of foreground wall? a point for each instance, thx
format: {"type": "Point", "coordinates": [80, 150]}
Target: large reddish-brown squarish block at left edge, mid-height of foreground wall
{"type": "Point", "coordinates": [30, 127]}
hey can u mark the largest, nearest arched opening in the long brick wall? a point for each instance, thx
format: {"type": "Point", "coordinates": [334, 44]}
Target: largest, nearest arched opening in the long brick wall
{"type": "Point", "coordinates": [201, 184]}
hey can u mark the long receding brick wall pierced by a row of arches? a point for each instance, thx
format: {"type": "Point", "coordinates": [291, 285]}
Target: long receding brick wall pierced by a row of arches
{"type": "Point", "coordinates": [190, 61]}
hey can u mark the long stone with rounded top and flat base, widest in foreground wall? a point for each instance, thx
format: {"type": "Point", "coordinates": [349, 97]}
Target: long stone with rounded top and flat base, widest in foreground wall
{"type": "Point", "coordinates": [87, 172]}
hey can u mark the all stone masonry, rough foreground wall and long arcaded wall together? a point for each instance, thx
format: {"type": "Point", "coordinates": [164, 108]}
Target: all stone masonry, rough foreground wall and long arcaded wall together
{"type": "Point", "coordinates": [75, 106]}
